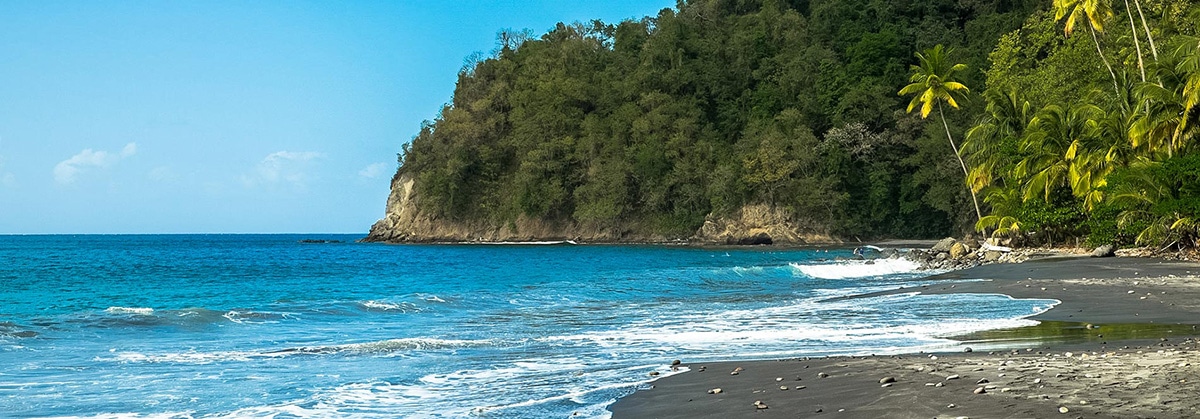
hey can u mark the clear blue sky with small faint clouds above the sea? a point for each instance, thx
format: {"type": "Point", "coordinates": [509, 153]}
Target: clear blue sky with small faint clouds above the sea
{"type": "Point", "coordinates": [232, 117]}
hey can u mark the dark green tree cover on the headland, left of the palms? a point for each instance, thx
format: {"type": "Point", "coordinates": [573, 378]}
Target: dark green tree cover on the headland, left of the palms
{"type": "Point", "coordinates": [709, 107]}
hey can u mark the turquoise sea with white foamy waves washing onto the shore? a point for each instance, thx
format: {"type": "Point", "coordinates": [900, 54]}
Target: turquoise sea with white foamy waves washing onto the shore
{"type": "Point", "coordinates": [271, 327]}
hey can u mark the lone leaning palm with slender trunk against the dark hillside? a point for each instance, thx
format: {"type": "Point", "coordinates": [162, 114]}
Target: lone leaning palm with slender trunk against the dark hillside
{"type": "Point", "coordinates": [934, 82]}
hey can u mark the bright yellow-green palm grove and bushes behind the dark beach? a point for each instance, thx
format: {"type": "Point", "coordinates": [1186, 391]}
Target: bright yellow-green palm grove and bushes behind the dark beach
{"type": "Point", "coordinates": [1112, 165]}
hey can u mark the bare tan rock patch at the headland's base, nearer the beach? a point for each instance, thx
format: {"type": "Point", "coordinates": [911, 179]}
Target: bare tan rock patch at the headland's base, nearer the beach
{"type": "Point", "coordinates": [760, 224]}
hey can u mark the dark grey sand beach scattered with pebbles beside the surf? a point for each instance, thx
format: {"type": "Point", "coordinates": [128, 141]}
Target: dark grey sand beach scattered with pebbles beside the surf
{"type": "Point", "coordinates": [1120, 345]}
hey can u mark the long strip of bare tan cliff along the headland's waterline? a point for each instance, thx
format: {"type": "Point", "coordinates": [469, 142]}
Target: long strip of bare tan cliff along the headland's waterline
{"type": "Point", "coordinates": [406, 223]}
